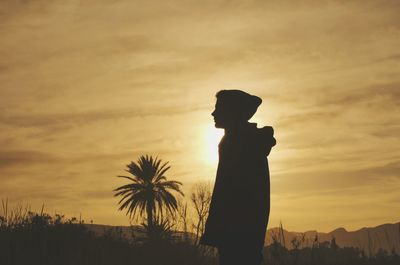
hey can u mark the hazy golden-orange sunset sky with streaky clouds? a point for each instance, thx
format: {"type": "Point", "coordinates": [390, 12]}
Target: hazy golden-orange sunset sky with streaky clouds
{"type": "Point", "coordinates": [88, 86]}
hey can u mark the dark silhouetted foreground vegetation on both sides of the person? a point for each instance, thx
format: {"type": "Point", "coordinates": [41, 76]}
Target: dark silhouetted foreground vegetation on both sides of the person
{"type": "Point", "coordinates": [38, 238]}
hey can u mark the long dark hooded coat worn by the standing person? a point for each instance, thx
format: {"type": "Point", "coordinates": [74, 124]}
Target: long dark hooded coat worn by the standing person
{"type": "Point", "coordinates": [240, 203]}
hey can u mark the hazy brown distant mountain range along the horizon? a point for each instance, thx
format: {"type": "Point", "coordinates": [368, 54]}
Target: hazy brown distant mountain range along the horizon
{"type": "Point", "coordinates": [370, 239]}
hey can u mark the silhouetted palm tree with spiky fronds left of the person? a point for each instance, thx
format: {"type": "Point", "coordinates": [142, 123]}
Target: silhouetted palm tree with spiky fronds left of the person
{"type": "Point", "coordinates": [149, 189]}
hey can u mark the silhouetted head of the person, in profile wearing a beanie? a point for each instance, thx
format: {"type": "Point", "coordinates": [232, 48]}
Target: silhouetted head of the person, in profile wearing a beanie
{"type": "Point", "coordinates": [234, 107]}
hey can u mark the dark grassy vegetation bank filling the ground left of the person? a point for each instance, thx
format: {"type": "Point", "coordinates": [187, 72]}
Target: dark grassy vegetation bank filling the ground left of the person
{"type": "Point", "coordinates": [41, 239]}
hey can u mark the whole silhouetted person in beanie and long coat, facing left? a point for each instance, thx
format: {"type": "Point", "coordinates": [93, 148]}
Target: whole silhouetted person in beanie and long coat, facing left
{"type": "Point", "coordinates": [240, 204]}
